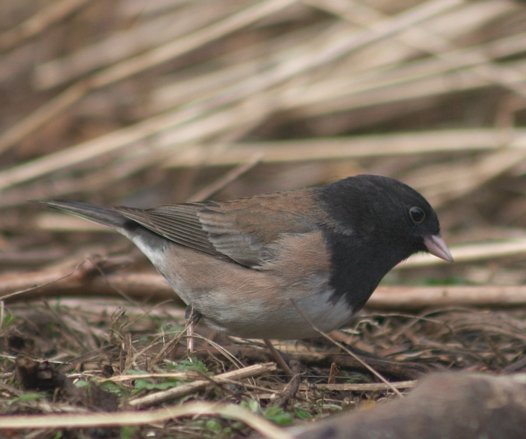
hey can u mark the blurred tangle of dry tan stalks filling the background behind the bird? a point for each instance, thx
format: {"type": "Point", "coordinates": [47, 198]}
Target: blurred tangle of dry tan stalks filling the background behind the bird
{"type": "Point", "coordinates": [144, 103]}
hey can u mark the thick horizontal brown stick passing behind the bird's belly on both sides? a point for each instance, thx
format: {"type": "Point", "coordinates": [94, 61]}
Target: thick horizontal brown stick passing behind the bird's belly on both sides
{"type": "Point", "coordinates": [152, 287]}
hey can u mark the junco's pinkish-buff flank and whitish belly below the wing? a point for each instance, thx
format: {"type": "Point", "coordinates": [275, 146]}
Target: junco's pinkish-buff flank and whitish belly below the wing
{"type": "Point", "coordinates": [285, 299]}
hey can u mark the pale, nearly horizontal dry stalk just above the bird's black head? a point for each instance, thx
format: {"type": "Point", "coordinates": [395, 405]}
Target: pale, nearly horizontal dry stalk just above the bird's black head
{"type": "Point", "coordinates": [359, 147]}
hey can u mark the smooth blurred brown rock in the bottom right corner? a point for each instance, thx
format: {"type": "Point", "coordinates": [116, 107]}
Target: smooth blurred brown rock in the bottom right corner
{"type": "Point", "coordinates": [444, 406]}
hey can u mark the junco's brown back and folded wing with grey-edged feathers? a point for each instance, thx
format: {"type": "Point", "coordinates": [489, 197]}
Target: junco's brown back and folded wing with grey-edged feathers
{"type": "Point", "coordinates": [243, 230]}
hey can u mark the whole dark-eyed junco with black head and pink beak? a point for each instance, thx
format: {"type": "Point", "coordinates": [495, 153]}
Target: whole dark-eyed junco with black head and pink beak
{"type": "Point", "coordinates": [274, 265]}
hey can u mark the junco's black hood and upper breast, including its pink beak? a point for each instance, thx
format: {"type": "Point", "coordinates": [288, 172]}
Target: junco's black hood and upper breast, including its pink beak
{"type": "Point", "coordinates": [376, 222]}
